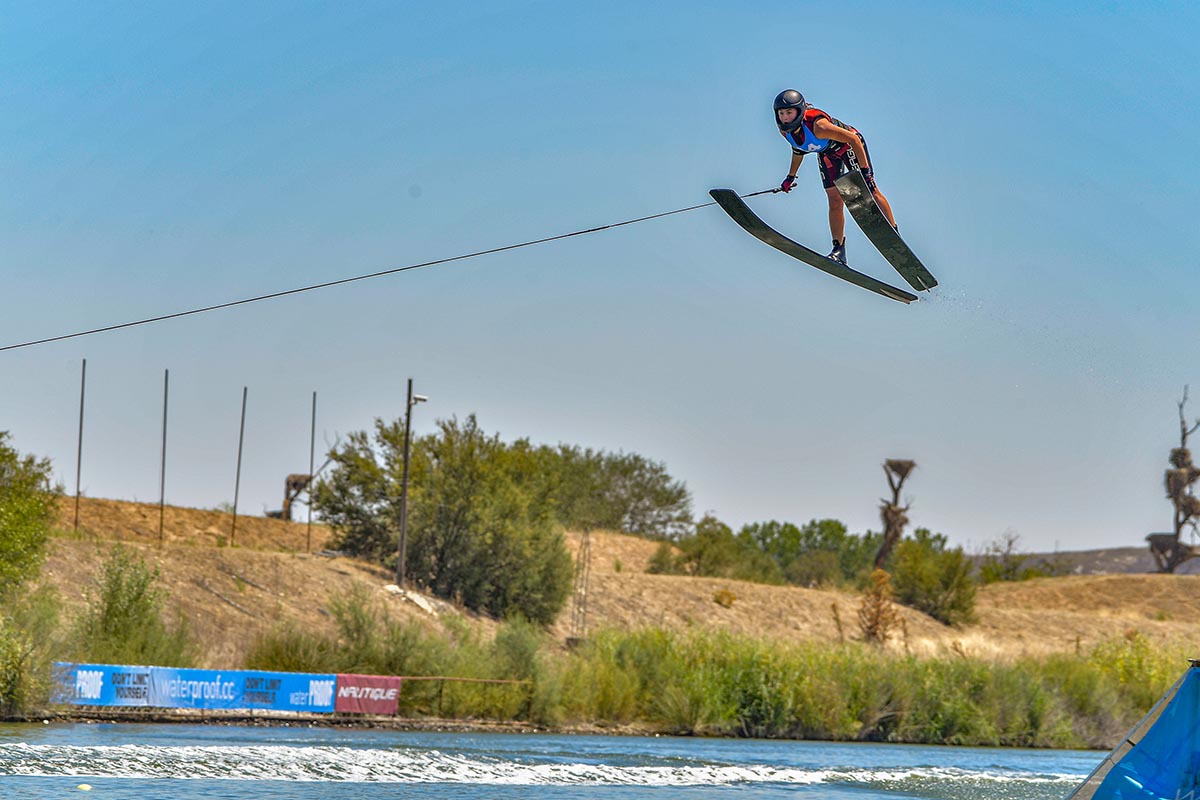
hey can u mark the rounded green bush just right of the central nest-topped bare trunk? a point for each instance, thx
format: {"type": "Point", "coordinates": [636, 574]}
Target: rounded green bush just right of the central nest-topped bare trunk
{"type": "Point", "coordinates": [933, 579]}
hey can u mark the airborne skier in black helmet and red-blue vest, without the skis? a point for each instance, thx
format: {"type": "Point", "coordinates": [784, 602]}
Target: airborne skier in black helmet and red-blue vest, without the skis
{"type": "Point", "coordinates": [839, 148]}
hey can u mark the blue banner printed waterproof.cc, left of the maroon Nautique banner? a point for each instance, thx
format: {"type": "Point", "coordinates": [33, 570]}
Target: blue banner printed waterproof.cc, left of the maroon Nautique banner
{"type": "Point", "coordinates": [167, 688]}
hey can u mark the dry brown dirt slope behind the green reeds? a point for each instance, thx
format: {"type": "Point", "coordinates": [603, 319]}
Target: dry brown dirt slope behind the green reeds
{"type": "Point", "coordinates": [235, 587]}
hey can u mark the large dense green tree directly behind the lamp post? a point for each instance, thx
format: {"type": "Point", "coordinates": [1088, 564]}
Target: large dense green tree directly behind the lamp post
{"type": "Point", "coordinates": [482, 516]}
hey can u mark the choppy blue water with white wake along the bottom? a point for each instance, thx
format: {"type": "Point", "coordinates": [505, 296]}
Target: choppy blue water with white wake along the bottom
{"type": "Point", "coordinates": [127, 762]}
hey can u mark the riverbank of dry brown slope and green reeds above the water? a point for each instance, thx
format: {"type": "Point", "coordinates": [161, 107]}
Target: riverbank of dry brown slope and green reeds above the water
{"type": "Point", "coordinates": [1055, 663]}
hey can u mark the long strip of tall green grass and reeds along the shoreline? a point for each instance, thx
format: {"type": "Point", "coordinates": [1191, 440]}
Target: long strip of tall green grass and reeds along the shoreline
{"type": "Point", "coordinates": [719, 684]}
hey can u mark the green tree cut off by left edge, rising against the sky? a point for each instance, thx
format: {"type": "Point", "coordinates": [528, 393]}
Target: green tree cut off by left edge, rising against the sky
{"type": "Point", "coordinates": [28, 503]}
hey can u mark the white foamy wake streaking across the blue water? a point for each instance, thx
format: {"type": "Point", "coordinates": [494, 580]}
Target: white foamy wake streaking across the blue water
{"type": "Point", "coordinates": [413, 766]}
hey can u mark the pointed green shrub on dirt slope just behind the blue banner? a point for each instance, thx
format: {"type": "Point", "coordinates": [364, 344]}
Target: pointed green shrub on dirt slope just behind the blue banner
{"type": "Point", "coordinates": [124, 618]}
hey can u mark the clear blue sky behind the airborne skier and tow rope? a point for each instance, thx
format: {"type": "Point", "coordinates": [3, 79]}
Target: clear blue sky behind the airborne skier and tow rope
{"type": "Point", "coordinates": [1040, 157]}
